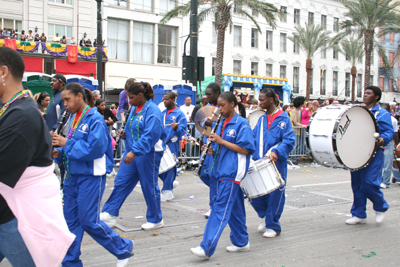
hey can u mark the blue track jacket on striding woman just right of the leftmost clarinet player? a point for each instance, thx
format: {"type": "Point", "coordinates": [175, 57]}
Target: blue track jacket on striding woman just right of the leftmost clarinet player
{"type": "Point", "coordinates": [151, 130]}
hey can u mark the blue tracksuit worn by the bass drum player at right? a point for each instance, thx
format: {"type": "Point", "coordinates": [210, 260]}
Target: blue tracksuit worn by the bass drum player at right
{"type": "Point", "coordinates": [366, 182]}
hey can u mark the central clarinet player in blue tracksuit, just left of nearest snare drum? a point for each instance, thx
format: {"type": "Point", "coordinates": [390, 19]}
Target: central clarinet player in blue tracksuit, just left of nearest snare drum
{"type": "Point", "coordinates": [231, 150]}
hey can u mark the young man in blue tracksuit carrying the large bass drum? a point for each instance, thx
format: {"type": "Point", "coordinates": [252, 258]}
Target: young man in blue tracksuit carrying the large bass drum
{"type": "Point", "coordinates": [366, 182]}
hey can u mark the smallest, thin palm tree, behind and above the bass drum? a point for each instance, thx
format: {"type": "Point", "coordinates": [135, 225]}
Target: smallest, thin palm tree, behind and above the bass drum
{"type": "Point", "coordinates": [353, 50]}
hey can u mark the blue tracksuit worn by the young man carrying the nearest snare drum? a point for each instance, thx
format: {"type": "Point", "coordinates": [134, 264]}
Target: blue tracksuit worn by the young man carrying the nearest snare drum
{"type": "Point", "coordinates": [280, 132]}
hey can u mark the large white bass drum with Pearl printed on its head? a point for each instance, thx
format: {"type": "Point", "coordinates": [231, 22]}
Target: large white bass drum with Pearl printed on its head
{"type": "Point", "coordinates": [342, 136]}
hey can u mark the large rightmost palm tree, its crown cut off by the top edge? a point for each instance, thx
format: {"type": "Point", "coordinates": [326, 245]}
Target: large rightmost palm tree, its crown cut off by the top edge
{"type": "Point", "coordinates": [365, 17]}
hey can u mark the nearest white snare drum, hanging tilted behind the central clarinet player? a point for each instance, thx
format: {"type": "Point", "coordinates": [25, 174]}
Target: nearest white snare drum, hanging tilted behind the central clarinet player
{"type": "Point", "coordinates": [262, 178]}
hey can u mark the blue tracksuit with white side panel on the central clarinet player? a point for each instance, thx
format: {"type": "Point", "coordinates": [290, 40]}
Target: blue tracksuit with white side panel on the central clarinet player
{"type": "Point", "coordinates": [229, 169]}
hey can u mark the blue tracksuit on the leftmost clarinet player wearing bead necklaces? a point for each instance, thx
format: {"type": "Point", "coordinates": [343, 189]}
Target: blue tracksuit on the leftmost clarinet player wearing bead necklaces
{"type": "Point", "coordinates": [88, 157]}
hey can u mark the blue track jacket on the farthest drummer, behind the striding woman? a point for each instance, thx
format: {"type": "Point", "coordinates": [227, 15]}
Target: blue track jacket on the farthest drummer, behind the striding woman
{"type": "Point", "coordinates": [174, 116]}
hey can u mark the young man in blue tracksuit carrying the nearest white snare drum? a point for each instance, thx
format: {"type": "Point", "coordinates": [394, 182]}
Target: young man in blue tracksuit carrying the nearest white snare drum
{"type": "Point", "coordinates": [273, 132]}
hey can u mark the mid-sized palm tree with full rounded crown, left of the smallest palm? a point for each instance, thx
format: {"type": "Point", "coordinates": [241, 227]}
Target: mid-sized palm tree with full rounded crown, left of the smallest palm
{"type": "Point", "coordinates": [310, 39]}
